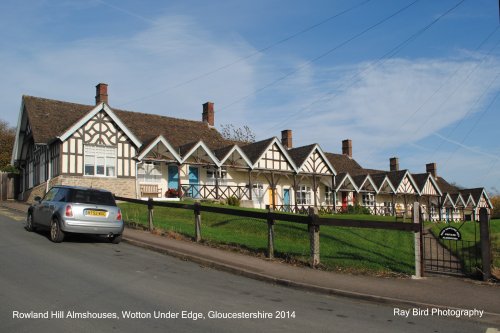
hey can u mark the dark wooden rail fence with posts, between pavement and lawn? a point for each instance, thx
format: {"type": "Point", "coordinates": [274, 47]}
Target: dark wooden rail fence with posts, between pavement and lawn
{"type": "Point", "coordinates": [312, 220]}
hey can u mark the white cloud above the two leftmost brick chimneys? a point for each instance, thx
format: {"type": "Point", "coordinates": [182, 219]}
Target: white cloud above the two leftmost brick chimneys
{"type": "Point", "coordinates": [145, 71]}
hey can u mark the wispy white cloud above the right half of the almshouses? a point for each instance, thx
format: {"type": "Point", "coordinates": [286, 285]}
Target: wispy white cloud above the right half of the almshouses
{"type": "Point", "coordinates": [394, 104]}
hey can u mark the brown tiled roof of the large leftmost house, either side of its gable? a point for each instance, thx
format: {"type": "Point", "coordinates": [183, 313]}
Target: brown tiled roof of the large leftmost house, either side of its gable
{"type": "Point", "coordinates": [50, 118]}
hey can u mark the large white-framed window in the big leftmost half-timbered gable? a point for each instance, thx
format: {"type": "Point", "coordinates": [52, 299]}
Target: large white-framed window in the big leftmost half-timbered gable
{"type": "Point", "coordinates": [100, 161]}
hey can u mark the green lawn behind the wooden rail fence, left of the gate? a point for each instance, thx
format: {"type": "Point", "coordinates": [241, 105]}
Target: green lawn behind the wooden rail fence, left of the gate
{"type": "Point", "coordinates": [352, 249]}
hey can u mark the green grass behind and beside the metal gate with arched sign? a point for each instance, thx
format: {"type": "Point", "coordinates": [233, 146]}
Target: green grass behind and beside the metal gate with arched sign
{"type": "Point", "coordinates": [470, 232]}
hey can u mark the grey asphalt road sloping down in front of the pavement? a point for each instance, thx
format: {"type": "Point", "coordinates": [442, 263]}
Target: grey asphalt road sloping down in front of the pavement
{"type": "Point", "coordinates": [89, 277]}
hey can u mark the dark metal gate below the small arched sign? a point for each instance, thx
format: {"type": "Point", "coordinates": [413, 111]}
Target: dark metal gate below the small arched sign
{"type": "Point", "coordinates": [456, 257]}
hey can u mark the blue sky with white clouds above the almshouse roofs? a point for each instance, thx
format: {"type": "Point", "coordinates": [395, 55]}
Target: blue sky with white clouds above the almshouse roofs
{"type": "Point", "coordinates": [413, 79]}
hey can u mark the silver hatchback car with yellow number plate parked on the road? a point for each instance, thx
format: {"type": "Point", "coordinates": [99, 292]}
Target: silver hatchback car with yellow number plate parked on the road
{"type": "Point", "coordinates": [72, 209]}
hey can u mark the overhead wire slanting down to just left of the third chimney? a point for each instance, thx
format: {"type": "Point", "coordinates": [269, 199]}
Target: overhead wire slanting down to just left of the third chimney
{"type": "Point", "coordinates": [380, 61]}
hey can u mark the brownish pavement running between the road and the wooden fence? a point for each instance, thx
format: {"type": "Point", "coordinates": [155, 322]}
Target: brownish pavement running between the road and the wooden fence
{"type": "Point", "coordinates": [444, 292]}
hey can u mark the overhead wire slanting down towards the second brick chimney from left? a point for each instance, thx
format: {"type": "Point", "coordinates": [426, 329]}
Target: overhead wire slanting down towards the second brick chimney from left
{"type": "Point", "coordinates": [320, 56]}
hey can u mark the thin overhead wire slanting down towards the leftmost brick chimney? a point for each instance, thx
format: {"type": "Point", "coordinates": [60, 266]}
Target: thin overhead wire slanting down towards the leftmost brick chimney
{"type": "Point", "coordinates": [259, 51]}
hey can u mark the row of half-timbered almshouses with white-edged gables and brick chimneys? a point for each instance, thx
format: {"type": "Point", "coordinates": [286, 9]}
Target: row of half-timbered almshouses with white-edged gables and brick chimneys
{"type": "Point", "coordinates": [142, 155]}
